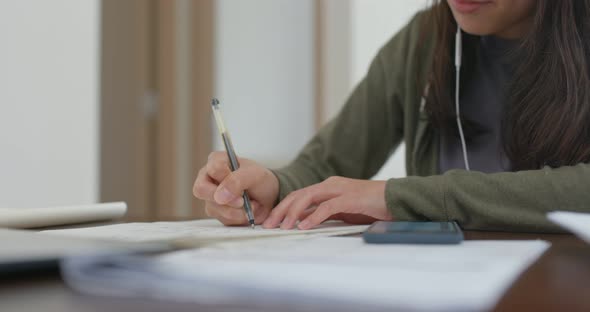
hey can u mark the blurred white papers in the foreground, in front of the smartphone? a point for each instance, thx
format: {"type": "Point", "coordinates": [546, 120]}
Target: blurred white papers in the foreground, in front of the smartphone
{"type": "Point", "coordinates": [337, 271]}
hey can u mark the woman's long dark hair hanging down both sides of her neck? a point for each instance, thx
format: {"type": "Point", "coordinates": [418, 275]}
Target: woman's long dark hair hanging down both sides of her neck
{"type": "Point", "coordinates": [546, 118]}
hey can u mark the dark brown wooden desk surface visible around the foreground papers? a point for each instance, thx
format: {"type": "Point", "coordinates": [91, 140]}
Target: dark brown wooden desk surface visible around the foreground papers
{"type": "Point", "coordinates": [558, 281]}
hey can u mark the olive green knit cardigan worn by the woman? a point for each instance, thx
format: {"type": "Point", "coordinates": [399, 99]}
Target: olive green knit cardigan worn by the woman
{"type": "Point", "coordinates": [384, 109]}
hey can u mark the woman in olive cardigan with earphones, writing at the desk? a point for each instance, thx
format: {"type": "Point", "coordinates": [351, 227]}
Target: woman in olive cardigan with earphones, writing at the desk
{"type": "Point", "coordinates": [523, 98]}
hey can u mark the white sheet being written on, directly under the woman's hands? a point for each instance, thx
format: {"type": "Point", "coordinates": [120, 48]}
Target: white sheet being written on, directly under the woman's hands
{"type": "Point", "coordinates": [200, 231]}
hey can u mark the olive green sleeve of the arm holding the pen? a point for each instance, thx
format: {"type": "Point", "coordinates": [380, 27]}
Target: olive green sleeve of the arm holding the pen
{"type": "Point", "coordinates": [367, 130]}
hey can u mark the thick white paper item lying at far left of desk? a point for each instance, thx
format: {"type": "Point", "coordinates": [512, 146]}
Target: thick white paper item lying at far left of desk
{"type": "Point", "coordinates": [22, 218]}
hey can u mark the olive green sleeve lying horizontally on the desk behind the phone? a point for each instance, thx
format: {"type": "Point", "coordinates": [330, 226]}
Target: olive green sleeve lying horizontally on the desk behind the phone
{"type": "Point", "coordinates": [508, 201]}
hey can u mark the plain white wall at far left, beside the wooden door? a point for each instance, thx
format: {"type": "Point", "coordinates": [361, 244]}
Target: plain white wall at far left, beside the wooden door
{"type": "Point", "coordinates": [48, 102]}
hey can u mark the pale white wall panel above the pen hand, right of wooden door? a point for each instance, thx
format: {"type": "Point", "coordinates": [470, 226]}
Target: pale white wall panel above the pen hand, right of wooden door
{"type": "Point", "coordinates": [264, 76]}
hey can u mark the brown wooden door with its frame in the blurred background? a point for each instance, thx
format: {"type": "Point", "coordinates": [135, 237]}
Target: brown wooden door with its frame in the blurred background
{"type": "Point", "coordinates": [156, 82]}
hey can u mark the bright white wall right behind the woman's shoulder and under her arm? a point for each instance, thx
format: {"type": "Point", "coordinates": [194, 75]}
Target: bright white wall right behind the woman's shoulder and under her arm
{"type": "Point", "coordinates": [374, 22]}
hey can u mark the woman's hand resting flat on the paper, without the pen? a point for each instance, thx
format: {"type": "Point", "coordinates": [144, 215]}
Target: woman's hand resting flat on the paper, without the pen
{"type": "Point", "coordinates": [337, 198]}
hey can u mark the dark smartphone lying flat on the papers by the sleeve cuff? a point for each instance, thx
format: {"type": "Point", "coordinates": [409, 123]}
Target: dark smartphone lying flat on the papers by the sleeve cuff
{"type": "Point", "coordinates": [406, 232]}
